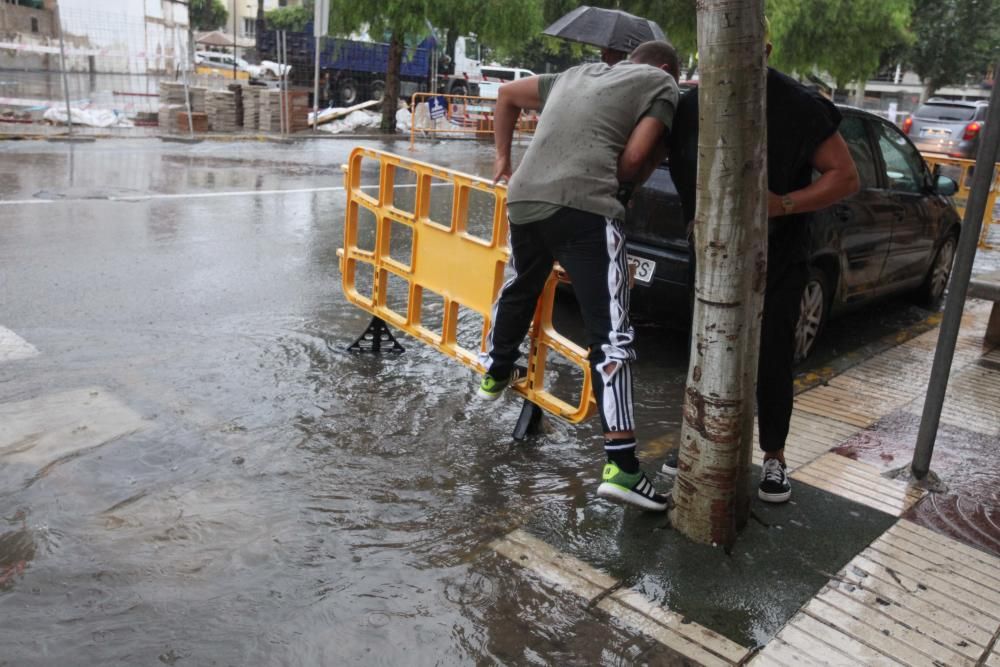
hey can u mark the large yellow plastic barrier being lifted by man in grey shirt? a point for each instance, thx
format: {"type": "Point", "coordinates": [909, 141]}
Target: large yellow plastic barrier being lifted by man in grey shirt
{"type": "Point", "coordinates": [416, 261]}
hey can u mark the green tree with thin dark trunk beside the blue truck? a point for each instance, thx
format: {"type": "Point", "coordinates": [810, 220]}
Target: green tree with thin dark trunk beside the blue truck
{"type": "Point", "coordinates": [498, 22]}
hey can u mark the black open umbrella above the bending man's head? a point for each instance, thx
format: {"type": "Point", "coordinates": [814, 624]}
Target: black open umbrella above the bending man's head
{"type": "Point", "coordinates": [607, 28]}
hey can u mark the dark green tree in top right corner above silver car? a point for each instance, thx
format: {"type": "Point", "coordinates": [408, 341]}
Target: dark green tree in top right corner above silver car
{"type": "Point", "coordinates": [955, 39]}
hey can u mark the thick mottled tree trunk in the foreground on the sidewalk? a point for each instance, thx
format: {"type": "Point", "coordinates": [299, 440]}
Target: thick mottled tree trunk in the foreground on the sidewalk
{"type": "Point", "coordinates": [711, 495]}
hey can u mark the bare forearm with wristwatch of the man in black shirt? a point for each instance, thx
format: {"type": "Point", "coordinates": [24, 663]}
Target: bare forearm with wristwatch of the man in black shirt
{"type": "Point", "coordinates": [838, 179]}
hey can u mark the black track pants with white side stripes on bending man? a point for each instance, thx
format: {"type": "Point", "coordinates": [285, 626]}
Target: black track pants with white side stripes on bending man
{"type": "Point", "coordinates": [591, 249]}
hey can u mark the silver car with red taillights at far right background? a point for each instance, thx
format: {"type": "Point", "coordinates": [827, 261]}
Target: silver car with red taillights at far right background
{"type": "Point", "coordinates": [947, 126]}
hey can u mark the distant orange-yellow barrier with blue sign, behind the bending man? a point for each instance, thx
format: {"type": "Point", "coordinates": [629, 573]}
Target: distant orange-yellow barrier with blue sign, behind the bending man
{"type": "Point", "coordinates": [463, 115]}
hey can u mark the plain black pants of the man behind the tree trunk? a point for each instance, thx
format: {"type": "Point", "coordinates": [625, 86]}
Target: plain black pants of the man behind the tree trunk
{"type": "Point", "coordinates": [776, 364]}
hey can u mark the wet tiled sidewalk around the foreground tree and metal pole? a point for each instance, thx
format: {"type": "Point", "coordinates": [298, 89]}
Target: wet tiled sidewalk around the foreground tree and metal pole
{"type": "Point", "coordinates": [859, 568]}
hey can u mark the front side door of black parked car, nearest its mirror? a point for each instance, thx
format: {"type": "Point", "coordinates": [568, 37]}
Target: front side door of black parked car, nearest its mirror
{"type": "Point", "coordinates": [906, 179]}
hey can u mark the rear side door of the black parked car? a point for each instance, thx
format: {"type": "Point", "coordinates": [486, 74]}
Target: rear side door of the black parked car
{"type": "Point", "coordinates": [860, 225]}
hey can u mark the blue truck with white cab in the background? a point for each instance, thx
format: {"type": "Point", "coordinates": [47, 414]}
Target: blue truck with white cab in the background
{"type": "Point", "coordinates": [353, 71]}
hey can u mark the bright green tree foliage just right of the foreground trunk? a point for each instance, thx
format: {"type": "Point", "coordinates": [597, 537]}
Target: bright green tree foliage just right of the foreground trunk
{"type": "Point", "coordinates": [845, 38]}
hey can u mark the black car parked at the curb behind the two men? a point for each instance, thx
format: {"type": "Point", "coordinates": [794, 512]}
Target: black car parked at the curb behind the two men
{"type": "Point", "coordinates": [898, 233]}
